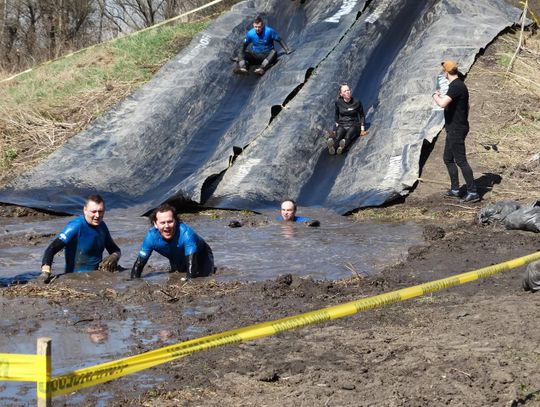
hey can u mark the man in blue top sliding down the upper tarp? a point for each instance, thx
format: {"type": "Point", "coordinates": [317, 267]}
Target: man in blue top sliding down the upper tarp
{"type": "Point", "coordinates": [262, 52]}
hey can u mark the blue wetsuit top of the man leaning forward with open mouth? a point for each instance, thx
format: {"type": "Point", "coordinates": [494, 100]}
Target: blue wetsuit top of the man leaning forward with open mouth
{"type": "Point", "coordinates": [184, 242]}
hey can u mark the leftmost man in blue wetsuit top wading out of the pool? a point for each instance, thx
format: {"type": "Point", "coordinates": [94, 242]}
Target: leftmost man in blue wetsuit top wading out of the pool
{"type": "Point", "coordinates": [84, 240]}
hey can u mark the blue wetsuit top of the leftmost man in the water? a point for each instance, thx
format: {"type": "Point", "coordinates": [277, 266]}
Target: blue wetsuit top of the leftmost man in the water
{"type": "Point", "coordinates": [85, 244]}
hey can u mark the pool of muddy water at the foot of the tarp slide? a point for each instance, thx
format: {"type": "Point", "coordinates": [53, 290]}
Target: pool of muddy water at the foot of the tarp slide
{"type": "Point", "coordinates": [334, 250]}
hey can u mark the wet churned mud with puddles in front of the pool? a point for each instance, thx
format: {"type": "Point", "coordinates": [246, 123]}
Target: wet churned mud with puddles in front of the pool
{"type": "Point", "coordinates": [472, 345]}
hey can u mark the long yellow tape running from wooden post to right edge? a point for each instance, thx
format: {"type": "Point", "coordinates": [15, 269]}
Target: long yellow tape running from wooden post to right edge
{"type": "Point", "coordinates": [112, 370]}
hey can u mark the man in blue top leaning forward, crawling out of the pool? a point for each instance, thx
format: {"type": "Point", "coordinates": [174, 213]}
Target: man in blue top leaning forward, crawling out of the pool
{"type": "Point", "coordinates": [186, 250]}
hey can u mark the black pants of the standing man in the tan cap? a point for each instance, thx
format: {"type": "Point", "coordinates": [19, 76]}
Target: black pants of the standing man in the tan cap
{"type": "Point", "coordinates": [455, 156]}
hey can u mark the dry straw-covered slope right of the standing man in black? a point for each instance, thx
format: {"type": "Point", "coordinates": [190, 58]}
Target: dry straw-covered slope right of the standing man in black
{"type": "Point", "coordinates": [505, 119]}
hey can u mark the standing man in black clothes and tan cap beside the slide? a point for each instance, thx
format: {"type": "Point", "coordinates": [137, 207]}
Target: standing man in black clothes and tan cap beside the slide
{"type": "Point", "coordinates": [456, 118]}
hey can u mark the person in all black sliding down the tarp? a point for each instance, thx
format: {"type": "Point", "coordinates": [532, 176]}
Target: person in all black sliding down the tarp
{"type": "Point", "coordinates": [350, 121]}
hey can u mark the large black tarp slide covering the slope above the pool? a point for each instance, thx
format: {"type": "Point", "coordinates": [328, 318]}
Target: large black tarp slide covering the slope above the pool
{"type": "Point", "coordinates": [197, 133]}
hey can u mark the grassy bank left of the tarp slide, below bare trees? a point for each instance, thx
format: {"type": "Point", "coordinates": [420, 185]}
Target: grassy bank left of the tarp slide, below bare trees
{"type": "Point", "coordinates": [41, 109]}
